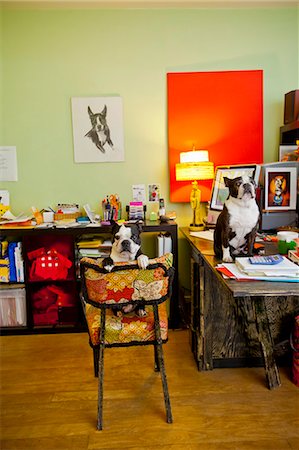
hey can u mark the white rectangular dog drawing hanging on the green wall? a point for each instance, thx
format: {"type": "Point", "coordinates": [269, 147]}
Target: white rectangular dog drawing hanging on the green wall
{"type": "Point", "coordinates": [98, 129]}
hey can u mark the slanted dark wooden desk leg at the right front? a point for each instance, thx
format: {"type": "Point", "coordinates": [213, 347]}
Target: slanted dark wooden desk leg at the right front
{"type": "Point", "coordinates": [265, 339]}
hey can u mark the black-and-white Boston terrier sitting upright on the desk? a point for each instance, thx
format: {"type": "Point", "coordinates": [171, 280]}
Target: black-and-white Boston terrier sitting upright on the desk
{"type": "Point", "coordinates": [237, 223]}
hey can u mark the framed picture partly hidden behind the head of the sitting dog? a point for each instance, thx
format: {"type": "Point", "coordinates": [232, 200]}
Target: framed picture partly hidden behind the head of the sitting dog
{"type": "Point", "coordinates": [220, 191]}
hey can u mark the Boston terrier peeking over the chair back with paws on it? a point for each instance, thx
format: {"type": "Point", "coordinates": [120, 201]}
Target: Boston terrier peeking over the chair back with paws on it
{"type": "Point", "coordinates": [126, 246]}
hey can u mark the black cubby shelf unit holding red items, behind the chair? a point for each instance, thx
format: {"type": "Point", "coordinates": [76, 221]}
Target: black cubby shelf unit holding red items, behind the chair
{"type": "Point", "coordinates": [51, 298]}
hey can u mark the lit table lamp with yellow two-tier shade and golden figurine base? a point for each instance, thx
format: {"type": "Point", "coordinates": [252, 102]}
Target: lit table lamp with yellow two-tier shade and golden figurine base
{"type": "Point", "coordinates": [195, 165]}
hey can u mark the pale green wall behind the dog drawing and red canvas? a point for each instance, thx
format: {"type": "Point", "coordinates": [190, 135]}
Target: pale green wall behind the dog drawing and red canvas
{"type": "Point", "coordinates": [51, 55]}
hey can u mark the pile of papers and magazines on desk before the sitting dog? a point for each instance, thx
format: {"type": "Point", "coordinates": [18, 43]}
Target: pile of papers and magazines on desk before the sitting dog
{"type": "Point", "coordinates": [242, 269]}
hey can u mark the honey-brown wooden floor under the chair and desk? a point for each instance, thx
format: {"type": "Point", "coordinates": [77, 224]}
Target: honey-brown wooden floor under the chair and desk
{"type": "Point", "coordinates": [49, 400]}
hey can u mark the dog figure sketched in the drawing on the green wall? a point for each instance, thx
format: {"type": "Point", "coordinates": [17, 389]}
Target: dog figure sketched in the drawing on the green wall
{"type": "Point", "coordinates": [100, 132]}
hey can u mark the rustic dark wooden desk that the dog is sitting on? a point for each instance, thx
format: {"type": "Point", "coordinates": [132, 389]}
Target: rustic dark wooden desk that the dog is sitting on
{"type": "Point", "coordinates": [233, 321]}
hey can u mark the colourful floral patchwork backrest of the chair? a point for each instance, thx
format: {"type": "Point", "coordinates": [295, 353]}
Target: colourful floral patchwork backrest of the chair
{"type": "Point", "coordinates": [126, 283]}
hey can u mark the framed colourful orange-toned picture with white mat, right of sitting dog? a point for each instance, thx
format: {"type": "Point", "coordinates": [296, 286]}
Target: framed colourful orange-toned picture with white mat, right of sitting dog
{"type": "Point", "coordinates": [280, 188]}
